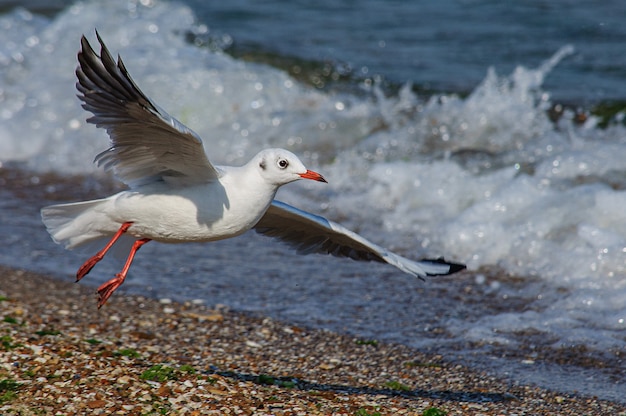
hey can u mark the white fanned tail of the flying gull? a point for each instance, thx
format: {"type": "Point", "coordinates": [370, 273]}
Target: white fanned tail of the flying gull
{"type": "Point", "coordinates": [73, 225]}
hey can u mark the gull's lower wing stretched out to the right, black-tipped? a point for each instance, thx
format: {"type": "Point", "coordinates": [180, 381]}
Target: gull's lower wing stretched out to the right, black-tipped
{"type": "Point", "coordinates": [310, 233]}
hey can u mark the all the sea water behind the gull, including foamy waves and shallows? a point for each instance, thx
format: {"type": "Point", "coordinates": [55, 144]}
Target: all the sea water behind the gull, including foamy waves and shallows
{"type": "Point", "coordinates": [435, 128]}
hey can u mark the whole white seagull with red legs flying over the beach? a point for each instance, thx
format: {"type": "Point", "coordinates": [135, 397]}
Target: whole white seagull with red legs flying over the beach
{"type": "Point", "coordinates": [176, 195]}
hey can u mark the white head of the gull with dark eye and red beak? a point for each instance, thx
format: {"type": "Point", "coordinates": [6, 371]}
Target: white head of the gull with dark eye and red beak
{"type": "Point", "coordinates": [280, 166]}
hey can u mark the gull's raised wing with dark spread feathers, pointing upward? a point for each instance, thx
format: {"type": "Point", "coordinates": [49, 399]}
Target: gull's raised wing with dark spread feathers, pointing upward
{"type": "Point", "coordinates": [147, 144]}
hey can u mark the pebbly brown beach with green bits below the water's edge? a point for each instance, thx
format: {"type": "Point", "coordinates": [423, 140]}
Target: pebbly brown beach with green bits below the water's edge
{"type": "Point", "coordinates": [142, 356]}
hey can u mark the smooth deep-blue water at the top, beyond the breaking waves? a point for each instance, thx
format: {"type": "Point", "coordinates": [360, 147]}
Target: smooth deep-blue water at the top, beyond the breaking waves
{"type": "Point", "coordinates": [442, 45]}
